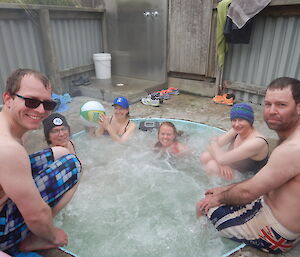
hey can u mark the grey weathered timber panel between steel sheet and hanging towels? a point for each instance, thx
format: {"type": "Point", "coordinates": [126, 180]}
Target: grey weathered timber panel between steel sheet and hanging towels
{"type": "Point", "coordinates": [192, 26]}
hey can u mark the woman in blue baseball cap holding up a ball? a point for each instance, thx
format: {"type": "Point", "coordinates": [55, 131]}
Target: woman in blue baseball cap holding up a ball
{"type": "Point", "coordinates": [118, 126]}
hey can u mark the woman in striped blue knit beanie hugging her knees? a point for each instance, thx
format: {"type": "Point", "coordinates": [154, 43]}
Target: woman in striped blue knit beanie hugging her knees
{"type": "Point", "coordinates": [247, 150]}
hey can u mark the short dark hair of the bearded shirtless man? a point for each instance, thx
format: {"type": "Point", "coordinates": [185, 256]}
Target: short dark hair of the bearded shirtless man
{"type": "Point", "coordinates": [285, 82]}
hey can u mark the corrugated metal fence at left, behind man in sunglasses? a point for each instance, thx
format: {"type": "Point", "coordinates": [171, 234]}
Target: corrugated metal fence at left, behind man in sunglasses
{"type": "Point", "coordinates": [76, 35]}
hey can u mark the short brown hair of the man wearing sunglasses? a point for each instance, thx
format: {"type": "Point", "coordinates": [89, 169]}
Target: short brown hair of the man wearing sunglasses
{"type": "Point", "coordinates": [13, 82]}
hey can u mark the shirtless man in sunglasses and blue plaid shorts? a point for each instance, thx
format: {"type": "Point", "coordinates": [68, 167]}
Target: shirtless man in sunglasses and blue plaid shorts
{"type": "Point", "coordinates": [30, 192]}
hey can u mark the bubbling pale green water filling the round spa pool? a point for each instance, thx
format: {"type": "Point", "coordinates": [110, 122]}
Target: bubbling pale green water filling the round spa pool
{"type": "Point", "coordinates": [133, 201]}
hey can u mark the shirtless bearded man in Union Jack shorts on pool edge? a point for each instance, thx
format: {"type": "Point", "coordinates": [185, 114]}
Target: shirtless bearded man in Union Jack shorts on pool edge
{"type": "Point", "coordinates": [264, 211]}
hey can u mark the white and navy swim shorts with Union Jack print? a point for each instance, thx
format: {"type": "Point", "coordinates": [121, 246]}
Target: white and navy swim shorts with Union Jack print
{"type": "Point", "coordinates": [253, 224]}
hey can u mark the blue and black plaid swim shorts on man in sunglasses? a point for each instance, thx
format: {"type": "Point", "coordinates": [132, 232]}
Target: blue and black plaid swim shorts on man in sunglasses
{"type": "Point", "coordinates": [53, 179]}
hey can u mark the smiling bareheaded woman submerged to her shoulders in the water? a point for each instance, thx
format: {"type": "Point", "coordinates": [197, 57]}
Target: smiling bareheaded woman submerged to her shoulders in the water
{"type": "Point", "coordinates": [167, 139]}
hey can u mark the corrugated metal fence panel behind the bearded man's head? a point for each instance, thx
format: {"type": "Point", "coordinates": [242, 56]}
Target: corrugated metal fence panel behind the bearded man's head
{"type": "Point", "coordinates": [274, 51]}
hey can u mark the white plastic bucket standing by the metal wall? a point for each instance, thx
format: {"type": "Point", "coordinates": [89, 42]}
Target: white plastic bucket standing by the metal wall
{"type": "Point", "coordinates": [102, 63]}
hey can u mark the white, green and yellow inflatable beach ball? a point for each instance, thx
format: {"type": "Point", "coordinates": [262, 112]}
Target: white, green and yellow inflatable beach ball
{"type": "Point", "coordinates": [89, 113]}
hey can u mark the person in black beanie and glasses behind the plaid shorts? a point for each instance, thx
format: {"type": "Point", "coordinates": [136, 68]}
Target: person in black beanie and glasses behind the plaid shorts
{"type": "Point", "coordinates": [57, 132]}
